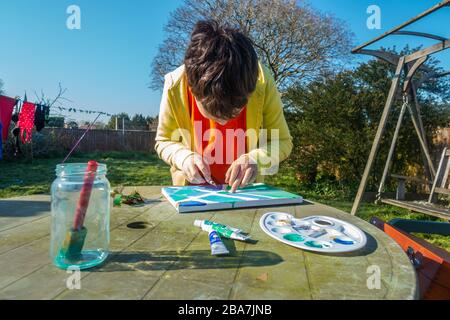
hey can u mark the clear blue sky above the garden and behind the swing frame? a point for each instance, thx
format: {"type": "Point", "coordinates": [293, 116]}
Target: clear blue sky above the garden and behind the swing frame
{"type": "Point", "coordinates": [105, 65]}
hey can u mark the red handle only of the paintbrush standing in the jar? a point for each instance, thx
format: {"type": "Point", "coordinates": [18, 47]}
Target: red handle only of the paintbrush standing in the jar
{"type": "Point", "coordinates": [85, 194]}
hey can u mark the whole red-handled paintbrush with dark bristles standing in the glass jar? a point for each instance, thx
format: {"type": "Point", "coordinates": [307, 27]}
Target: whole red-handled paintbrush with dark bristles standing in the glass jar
{"type": "Point", "coordinates": [74, 241]}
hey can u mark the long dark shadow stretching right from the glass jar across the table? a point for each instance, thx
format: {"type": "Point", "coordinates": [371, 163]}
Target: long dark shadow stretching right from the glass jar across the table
{"type": "Point", "coordinates": [192, 259]}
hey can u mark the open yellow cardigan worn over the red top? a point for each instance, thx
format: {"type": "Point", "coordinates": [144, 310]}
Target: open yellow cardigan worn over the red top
{"type": "Point", "coordinates": [264, 111]}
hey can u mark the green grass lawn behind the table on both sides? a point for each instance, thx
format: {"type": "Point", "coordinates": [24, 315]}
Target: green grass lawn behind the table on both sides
{"type": "Point", "coordinates": [25, 178]}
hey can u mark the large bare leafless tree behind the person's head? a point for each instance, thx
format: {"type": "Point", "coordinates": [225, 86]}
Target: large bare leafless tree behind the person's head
{"type": "Point", "coordinates": [294, 40]}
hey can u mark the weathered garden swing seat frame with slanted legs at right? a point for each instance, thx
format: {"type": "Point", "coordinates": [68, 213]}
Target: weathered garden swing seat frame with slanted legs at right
{"type": "Point", "coordinates": [407, 67]}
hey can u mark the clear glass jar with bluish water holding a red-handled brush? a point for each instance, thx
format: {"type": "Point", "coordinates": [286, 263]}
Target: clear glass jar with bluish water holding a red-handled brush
{"type": "Point", "coordinates": [87, 245]}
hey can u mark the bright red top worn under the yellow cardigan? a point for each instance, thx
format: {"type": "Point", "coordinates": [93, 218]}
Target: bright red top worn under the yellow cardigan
{"type": "Point", "coordinates": [218, 144]}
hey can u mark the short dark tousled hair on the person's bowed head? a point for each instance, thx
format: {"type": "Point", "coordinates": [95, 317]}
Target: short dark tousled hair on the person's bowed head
{"type": "Point", "coordinates": [222, 68]}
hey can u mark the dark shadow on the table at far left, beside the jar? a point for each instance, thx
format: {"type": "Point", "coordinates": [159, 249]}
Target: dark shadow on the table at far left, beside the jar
{"type": "Point", "coordinates": [21, 209]}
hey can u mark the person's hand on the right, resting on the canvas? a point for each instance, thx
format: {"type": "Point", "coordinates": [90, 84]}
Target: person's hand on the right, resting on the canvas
{"type": "Point", "coordinates": [241, 172]}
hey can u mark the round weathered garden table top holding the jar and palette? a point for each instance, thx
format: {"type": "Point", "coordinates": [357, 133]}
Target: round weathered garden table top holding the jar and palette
{"type": "Point", "coordinates": [157, 253]}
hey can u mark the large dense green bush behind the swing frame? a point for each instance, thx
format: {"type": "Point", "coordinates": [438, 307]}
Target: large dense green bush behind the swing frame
{"type": "Point", "coordinates": [333, 121]}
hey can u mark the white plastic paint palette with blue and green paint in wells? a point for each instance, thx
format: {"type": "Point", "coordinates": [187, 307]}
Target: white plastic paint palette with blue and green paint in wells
{"type": "Point", "coordinates": [314, 233]}
